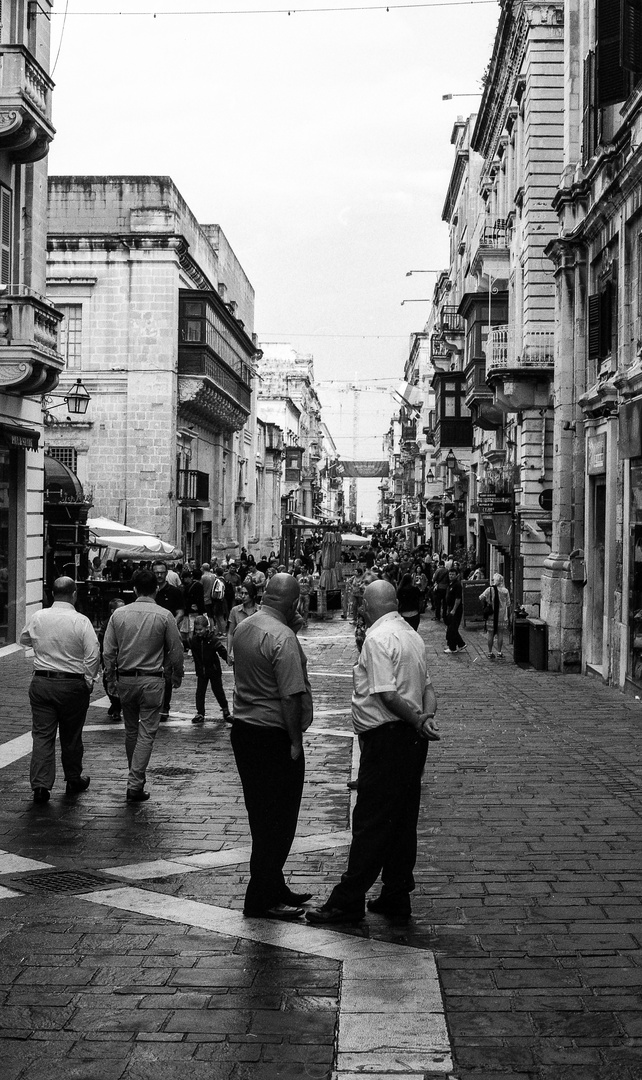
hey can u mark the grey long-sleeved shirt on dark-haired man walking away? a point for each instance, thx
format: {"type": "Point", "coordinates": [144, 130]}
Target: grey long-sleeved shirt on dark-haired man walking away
{"type": "Point", "coordinates": [143, 637]}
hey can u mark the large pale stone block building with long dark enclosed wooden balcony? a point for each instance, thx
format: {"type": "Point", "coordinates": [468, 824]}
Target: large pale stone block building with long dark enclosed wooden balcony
{"type": "Point", "coordinates": [159, 326]}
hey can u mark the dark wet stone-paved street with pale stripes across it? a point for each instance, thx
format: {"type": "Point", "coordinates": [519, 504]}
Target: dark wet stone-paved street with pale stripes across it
{"type": "Point", "coordinates": [528, 901]}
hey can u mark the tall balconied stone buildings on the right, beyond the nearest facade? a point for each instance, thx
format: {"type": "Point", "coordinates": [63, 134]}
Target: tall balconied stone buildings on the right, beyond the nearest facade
{"type": "Point", "coordinates": [491, 329]}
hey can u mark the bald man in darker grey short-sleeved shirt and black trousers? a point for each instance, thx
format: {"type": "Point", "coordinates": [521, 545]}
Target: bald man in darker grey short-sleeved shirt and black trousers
{"type": "Point", "coordinates": [273, 708]}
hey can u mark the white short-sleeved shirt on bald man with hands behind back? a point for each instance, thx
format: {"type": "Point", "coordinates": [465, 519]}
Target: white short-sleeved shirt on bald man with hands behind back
{"type": "Point", "coordinates": [393, 659]}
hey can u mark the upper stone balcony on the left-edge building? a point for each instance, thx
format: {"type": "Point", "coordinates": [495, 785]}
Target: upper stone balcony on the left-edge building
{"type": "Point", "coordinates": [26, 130]}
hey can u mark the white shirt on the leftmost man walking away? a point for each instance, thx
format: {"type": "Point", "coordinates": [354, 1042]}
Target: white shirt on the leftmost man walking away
{"type": "Point", "coordinates": [63, 641]}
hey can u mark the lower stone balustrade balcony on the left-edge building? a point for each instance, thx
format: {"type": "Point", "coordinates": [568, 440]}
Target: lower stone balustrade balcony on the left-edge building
{"type": "Point", "coordinates": [30, 358]}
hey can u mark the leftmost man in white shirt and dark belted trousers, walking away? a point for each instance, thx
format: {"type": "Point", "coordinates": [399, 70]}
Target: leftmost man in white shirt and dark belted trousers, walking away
{"type": "Point", "coordinates": [66, 663]}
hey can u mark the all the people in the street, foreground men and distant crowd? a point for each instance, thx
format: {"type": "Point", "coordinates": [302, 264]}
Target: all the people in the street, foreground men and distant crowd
{"type": "Point", "coordinates": [248, 615]}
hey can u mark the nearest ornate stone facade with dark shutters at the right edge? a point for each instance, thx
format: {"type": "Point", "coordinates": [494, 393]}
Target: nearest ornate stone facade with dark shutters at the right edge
{"type": "Point", "coordinates": [593, 587]}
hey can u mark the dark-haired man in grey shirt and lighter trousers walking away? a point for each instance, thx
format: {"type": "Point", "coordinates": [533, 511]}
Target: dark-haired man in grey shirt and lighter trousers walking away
{"type": "Point", "coordinates": [142, 647]}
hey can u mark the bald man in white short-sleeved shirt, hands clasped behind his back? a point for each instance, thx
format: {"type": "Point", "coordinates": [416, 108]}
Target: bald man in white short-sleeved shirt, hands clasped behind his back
{"type": "Point", "coordinates": [394, 707]}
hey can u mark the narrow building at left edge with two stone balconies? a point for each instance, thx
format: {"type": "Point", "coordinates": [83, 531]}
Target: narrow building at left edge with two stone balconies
{"type": "Point", "coordinates": [30, 358]}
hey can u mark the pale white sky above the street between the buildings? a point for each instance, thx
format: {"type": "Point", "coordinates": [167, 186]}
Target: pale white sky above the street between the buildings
{"type": "Point", "coordinates": [318, 141]}
